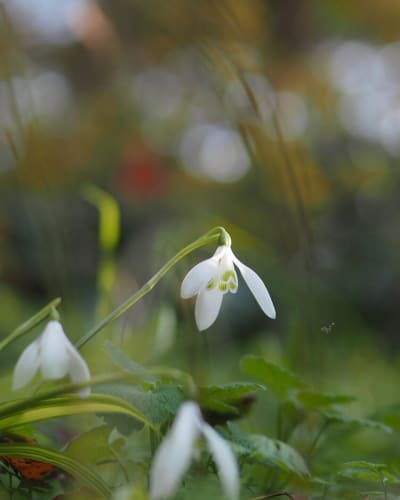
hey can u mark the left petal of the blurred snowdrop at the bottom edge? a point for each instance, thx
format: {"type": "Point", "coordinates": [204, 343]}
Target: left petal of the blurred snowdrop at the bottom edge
{"type": "Point", "coordinates": [173, 456]}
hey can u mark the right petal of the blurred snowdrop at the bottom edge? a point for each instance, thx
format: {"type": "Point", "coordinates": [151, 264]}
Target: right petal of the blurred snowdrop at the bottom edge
{"type": "Point", "coordinates": [225, 460]}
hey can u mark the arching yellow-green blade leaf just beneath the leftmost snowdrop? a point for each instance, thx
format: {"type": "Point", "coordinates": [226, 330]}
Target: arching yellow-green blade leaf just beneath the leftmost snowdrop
{"type": "Point", "coordinates": [68, 405]}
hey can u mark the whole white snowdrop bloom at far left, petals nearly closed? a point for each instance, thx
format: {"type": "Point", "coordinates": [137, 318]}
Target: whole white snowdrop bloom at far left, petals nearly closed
{"type": "Point", "coordinates": [55, 356]}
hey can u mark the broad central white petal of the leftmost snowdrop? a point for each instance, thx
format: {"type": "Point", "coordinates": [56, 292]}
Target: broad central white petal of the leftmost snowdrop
{"type": "Point", "coordinates": [54, 356]}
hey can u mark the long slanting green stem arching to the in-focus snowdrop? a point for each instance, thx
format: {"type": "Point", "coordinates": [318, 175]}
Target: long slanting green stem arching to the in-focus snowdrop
{"type": "Point", "coordinates": [217, 234]}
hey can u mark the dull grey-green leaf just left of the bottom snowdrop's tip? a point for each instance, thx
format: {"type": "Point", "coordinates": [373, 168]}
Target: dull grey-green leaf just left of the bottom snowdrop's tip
{"type": "Point", "coordinates": [156, 405]}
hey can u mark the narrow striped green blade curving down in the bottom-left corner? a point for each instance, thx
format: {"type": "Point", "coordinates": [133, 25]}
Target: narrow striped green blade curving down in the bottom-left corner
{"type": "Point", "coordinates": [80, 472]}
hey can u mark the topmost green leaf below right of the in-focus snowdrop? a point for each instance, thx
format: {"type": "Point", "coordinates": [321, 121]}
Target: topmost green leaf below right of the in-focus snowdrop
{"type": "Point", "coordinates": [279, 380]}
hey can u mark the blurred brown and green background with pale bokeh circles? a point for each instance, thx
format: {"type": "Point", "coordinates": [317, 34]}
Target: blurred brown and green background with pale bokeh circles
{"type": "Point", "coordinates": [128, 129]}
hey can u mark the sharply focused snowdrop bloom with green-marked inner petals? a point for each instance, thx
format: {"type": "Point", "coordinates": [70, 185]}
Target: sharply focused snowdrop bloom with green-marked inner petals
{"type": "Point", "coordinates": [212, 278]}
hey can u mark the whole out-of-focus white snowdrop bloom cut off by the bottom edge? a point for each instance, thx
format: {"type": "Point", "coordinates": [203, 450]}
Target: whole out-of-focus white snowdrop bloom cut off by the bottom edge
{"type": "Point", "coordinates": [174, 455]}
